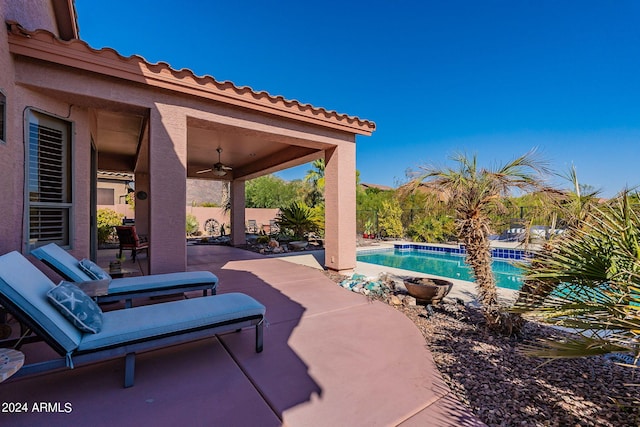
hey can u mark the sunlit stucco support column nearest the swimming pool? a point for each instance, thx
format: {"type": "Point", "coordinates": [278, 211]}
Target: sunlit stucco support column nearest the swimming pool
{"type": "Point", "coordinates": [340, 208]}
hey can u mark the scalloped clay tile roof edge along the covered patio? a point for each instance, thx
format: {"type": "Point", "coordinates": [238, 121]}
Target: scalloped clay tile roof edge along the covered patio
{"type": "Point", "coordinates": [45, 45]}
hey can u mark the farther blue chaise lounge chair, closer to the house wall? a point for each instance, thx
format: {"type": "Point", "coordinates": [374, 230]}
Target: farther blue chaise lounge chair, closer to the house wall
{"type": "Point", "coordinates": [127, 288]}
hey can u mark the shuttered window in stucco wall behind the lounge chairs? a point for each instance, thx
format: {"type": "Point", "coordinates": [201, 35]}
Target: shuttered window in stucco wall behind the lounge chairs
{"type": "Point", "coordinates": [48, 180]}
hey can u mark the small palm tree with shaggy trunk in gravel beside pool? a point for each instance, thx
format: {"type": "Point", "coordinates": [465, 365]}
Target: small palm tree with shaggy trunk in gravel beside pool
{"type": "Point", "coordinates": [473, 192]}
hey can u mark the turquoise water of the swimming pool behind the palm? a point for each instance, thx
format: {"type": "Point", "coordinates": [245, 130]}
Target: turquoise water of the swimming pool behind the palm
{"type": "Point", "coordinates": [443, 264]}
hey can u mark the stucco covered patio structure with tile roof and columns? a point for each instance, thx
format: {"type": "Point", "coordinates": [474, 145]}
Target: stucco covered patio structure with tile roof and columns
{"type": "Point", "coordinates": [166, 125]}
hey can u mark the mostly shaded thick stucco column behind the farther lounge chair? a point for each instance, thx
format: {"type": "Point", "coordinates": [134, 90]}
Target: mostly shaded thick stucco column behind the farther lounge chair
{"type": "Point", "coordinates": [167, 190]}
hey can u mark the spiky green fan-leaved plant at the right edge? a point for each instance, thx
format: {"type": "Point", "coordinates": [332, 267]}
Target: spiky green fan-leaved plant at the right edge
{"type": "Point", "coordinates": [589, 281]}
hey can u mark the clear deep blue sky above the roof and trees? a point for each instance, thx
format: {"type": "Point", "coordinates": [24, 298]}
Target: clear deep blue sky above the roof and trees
{"type": "Point", "coordinates": [494, 78]}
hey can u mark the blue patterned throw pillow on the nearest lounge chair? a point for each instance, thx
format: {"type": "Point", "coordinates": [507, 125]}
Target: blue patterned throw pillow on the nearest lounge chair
{"type": "Point", "coordinates": [76, 306]}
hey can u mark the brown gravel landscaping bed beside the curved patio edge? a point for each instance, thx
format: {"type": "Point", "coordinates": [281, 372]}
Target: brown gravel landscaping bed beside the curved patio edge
{"type": "Point", "coordinates": [506, 388]}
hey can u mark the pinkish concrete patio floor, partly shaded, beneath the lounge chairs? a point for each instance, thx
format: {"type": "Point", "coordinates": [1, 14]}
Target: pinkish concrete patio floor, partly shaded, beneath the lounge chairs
{"type": "Point", "coordinates": [331, 358]}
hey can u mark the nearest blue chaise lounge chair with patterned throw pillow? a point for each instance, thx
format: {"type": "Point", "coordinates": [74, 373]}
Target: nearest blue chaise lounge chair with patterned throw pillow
{"type": "Point", "coordinates": [27, 294]}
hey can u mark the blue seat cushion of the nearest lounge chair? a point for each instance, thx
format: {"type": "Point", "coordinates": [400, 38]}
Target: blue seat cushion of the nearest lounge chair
{"type": "Point", "coordinates": [174, 317]}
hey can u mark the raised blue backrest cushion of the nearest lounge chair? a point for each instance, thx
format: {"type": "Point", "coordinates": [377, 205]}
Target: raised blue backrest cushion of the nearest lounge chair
{"type": "Point", "coordinates": [18, 271]}
